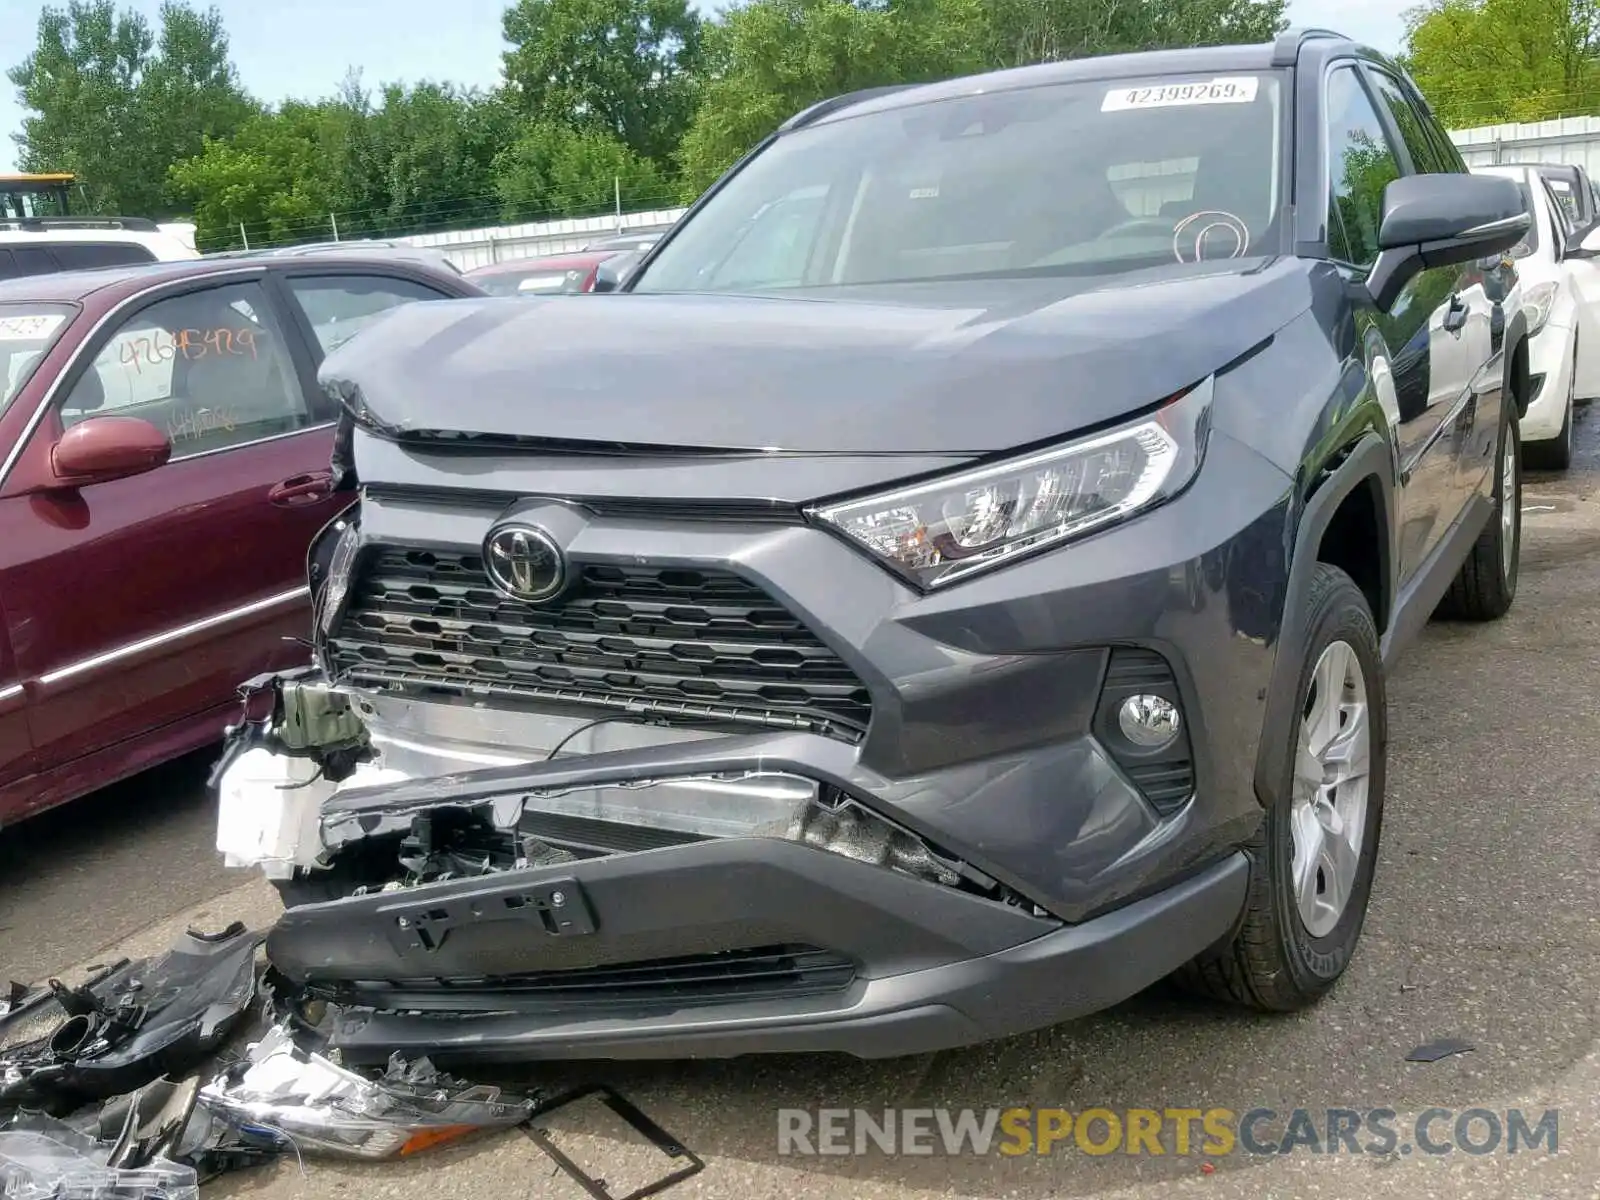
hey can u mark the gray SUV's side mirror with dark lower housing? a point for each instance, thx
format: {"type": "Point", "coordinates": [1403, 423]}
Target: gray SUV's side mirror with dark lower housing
{"type": "Point", "coordinates": [1441, 220]}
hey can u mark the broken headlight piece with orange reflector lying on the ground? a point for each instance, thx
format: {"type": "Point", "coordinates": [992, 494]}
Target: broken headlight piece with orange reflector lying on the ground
{"type": "Point", "coordinates": [313, 1105]}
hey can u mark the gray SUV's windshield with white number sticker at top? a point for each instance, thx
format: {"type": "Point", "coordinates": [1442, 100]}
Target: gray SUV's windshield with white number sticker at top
{"type": "Point", "coordinates": [1076, 178]}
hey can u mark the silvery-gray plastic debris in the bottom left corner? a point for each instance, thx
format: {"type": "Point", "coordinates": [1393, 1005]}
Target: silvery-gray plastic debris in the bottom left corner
{"type": "Point", "coordinates": [46, 1159]}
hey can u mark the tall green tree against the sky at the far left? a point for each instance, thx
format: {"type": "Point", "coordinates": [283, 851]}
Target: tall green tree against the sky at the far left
{"type": "Point", "coordinates": [116, 105]}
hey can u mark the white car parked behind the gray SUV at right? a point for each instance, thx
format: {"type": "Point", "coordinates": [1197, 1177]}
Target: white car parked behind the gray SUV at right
{"type": "Point", "coordinates": [1561, 289]}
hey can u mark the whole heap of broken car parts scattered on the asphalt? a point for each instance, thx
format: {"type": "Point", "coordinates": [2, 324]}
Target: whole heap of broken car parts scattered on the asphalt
{"type": "Point", "coordinates": [124, 1113]}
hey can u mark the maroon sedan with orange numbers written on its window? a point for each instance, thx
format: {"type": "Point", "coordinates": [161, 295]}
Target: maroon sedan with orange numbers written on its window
{"type": "Point", "coordinates": [164, 465]}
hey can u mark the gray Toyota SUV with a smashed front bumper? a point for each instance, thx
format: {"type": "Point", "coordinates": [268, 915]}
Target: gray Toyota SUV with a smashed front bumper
{"type": "Point", "coordinates": [946, 588]}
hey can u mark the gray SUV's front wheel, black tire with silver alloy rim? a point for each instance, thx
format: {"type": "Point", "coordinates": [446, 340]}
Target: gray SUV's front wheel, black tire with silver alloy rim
{"type": "Point", "coordinates": [1314, 857]}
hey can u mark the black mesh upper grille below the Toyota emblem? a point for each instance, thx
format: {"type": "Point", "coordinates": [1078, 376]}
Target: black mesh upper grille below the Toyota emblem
{"type": "Point", "coordinates": [690, 642]}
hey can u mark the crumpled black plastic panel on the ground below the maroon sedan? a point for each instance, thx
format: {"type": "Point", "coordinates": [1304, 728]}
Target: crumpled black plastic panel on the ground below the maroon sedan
{"type": "Point", "coordinates": [135, 1023]}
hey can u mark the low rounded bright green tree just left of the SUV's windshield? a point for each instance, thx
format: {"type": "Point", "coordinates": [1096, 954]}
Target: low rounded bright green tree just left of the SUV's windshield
{"type": "Point", "coordinates": [556, 170]}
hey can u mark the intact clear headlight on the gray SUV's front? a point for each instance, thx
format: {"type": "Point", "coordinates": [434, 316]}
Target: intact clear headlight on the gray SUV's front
{"type": "Point", "coordinates": [951, 529]}
